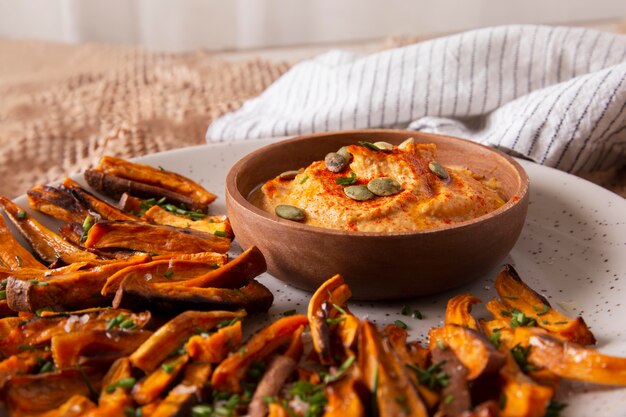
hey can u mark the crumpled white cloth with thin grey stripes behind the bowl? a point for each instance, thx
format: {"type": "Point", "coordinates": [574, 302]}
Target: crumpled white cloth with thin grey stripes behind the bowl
{"type": "Point", "coordinates": [556, 95]}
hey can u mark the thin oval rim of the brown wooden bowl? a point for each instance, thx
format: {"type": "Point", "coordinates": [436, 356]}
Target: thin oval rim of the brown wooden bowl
{"type": "Point", "coordinates": [233, 192]}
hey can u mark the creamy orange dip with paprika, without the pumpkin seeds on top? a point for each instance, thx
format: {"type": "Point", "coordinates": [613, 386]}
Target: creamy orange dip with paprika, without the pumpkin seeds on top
{"type": "Point", "coordinates": [426, 201]}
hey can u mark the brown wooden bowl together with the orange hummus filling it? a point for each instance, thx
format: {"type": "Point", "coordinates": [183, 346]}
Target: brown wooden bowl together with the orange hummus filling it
{"type": "Point", "coordinates": [380, 251]}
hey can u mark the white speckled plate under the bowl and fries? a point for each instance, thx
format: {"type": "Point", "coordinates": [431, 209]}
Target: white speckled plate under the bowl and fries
{"type": "Point", "coordinates": [572, 250]}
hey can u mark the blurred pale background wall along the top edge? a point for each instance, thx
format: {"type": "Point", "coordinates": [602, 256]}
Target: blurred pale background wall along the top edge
{"type": "Point", "coordinates": [177, 25]}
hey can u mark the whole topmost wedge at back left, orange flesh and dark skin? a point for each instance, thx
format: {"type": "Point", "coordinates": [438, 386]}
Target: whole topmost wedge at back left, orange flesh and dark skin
{"type": "Point", "coordinates": [114, 176]}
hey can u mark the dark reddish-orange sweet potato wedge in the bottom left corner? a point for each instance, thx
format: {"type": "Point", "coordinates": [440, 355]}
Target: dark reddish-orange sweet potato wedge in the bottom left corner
{"type": "Point", "coordinates": [30, 394]}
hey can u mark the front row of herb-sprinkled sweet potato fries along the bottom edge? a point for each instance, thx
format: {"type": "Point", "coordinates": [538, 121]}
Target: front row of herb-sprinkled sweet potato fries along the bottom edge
{"type": "Point", "coordinates": [106, 362]}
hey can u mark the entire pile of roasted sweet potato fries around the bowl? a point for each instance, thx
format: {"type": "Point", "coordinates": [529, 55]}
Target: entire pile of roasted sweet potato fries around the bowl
{"type": "Point", "coordinates": [136, 311]}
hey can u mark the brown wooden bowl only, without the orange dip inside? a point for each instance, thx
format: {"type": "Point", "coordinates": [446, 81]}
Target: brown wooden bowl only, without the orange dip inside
{"type": "Point", "coordinates": [377, 266]}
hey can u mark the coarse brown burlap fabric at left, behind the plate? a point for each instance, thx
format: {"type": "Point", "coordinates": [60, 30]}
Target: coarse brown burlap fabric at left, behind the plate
{"type": "Point", "coordinates": [63, 106]}
